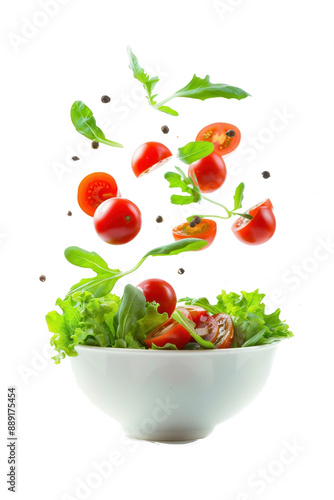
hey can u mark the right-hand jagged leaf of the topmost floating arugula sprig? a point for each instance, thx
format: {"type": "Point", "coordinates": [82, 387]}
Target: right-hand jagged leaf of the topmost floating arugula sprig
{"type": "Point", "coordinates": [199, 88]}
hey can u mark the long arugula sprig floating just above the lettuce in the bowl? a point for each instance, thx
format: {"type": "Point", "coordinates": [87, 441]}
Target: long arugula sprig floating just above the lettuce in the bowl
{"type": "Point", "coordinates": [106, 278]}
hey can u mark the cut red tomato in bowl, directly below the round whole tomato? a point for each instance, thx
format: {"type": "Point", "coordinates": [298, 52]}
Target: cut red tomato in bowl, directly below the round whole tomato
{"type": "Point", "coordinates": [169, 332]}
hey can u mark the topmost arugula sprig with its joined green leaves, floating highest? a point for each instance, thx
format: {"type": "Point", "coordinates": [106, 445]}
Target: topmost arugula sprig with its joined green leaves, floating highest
{"type": "Point", "coordinates": [197, 88]}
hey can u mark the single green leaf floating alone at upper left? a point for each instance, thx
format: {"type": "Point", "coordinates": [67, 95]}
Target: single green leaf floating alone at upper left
{"type": "Point", "coordinates": [85, 123]}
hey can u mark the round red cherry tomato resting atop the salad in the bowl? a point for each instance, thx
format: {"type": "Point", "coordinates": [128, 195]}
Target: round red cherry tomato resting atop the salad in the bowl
{"type": "Point", "coordinates": [161, 292]}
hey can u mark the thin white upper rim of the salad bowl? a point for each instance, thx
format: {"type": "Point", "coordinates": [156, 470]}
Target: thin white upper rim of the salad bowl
{"type": "Point", "coordinates": [218, 352]}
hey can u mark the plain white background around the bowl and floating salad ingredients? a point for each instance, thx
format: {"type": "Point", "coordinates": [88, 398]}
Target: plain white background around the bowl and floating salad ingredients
{"type": "Point", "coordinates": [281, 53]}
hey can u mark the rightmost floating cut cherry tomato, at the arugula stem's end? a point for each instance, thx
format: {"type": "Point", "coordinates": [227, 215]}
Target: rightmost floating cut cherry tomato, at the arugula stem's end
{"type": "Point", "coordinates": [259, 229]}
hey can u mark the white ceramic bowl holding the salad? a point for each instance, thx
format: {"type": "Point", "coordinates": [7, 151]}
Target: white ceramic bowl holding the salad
{"type": "Point", "coordinates": [168, 395]}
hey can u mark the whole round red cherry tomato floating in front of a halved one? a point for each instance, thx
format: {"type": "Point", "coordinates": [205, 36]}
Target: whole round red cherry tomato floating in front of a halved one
{"type": "Point", "coordinates": [117, 221]}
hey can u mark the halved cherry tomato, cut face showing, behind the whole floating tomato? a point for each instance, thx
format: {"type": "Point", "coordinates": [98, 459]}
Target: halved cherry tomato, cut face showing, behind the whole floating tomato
{"type": "Point", "coordinates": [94, 189]}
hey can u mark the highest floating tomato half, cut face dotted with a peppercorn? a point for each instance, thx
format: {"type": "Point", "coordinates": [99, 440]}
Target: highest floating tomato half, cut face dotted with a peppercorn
{"type": "Point", "coordinates": [216, 133]}
